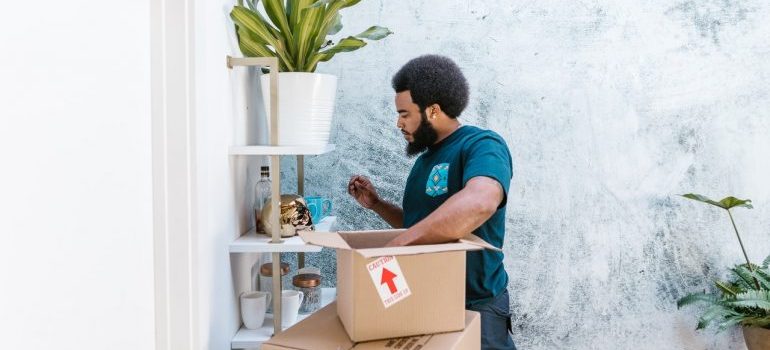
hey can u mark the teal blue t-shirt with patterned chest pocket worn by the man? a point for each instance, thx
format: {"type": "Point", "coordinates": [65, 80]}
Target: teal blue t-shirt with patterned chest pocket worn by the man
{"type": "Point", "coordinates": [444, 170]}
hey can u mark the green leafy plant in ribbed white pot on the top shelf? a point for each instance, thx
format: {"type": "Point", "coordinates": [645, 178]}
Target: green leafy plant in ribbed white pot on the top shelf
{"type": "Point", "coordinates": [296, 31]}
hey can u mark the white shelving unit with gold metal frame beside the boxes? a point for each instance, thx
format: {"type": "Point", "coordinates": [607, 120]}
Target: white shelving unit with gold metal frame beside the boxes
{"type": "Point", "coordinates": [274, 243]}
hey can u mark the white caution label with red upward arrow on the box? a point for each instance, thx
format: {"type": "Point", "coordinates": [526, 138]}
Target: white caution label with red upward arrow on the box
{"type": "Point", "coordinates": [388, 280]}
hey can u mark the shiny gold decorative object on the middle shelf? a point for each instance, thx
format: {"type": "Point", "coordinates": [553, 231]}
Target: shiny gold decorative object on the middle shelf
{"type": "Point", "coordinates": [294, 217]}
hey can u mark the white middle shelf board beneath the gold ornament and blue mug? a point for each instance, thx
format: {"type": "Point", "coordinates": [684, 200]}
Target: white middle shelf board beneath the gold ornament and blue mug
{"type": "Point", "coordinates": [259, 243]}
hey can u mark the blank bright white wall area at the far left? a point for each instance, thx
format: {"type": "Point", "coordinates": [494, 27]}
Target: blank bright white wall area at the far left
{"type": "Point", "coordinates": [75, 180]}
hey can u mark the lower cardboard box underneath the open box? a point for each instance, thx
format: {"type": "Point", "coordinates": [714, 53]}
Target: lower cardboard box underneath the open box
{"type": "Point", "coordinates": [323, 331]}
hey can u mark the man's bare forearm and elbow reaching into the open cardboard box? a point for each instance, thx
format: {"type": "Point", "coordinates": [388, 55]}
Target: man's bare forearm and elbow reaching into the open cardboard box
{"type": "Point", "coordinates": [462, 213]}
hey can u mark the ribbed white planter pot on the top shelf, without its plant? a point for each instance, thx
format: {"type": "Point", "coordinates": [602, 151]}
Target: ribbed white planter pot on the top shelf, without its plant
{"type": "Point", "coordinates": [305, 107]}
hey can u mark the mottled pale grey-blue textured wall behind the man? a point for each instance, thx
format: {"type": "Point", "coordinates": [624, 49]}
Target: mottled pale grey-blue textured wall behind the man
{"type": "Point", "coordinates": [609, 108]}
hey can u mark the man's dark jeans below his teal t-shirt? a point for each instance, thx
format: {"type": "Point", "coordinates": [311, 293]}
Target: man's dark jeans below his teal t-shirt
{"type": "Point", "coordinates": [496, 323]}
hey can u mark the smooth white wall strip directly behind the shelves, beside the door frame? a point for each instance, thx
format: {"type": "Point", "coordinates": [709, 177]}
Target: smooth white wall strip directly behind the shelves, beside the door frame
{"type": "Point", "coordinates": [224, 182]}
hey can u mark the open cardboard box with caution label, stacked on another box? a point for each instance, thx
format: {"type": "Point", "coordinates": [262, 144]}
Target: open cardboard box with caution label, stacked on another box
{"type": "Point", "coordinates": [394, 292]}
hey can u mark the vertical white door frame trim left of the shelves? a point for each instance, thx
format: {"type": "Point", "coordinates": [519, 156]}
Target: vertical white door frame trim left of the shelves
{"type": "Point", "coordinates": [173, 172]}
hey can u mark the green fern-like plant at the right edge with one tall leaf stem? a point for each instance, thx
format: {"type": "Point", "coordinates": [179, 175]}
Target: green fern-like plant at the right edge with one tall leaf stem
{"type": "Point", "coordinates": [742, 300]}
